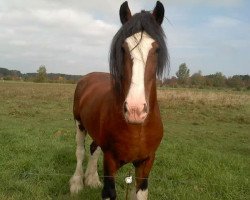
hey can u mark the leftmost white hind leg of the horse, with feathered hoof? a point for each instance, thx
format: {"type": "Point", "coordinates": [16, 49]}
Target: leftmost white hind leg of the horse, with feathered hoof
{"type": "Point", "coordinates": [76, 181]}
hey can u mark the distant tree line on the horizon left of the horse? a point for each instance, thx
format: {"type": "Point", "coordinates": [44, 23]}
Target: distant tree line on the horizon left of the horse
{"type": "Point", "coordinates": [40, 77]}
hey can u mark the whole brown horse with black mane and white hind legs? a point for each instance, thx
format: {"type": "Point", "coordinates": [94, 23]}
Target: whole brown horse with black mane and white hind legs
{"type": "Point", "coordinates": [120, 110]}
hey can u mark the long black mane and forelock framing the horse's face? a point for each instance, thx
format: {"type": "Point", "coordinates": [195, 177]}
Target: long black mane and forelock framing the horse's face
{"type": "Point", "coordinates": [143, 21]}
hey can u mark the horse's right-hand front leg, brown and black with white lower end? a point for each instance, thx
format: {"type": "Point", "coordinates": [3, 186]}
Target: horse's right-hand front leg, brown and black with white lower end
{"type": "Point", "coordinates": [142, 170]}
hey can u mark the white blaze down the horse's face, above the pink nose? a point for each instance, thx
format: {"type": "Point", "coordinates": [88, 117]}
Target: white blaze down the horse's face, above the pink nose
{"type": "Point", "coordinates": [139, 45]}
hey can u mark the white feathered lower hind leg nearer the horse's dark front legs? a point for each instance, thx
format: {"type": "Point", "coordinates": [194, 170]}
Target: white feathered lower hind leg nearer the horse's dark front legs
{"type": "Point", "coordinates": [91, 174]}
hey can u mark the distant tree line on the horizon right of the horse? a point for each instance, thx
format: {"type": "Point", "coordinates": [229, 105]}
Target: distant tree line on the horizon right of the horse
{"type": "Point", "coordinates": [197, 80]}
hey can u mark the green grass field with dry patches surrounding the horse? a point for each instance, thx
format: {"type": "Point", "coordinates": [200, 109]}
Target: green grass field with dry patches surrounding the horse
{"type": "Point", "coordinates": [205, 153]}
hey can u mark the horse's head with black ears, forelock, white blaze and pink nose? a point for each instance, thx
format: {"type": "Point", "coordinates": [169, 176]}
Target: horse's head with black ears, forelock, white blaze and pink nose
{"type": "Point", "coordinates": [138, 54]}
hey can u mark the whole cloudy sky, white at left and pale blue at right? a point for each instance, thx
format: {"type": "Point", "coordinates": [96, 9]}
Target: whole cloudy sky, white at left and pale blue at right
{"type": "Point", "coordinates": [73, 36]}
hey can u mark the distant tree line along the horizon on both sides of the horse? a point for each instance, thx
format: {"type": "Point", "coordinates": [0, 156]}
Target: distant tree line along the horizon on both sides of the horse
{"type": "Point", "coordinates": [182, 78]}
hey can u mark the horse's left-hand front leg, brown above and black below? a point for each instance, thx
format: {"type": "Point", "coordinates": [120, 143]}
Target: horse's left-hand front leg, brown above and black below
{"type": "Point", "coordinates": [110, 166]}
